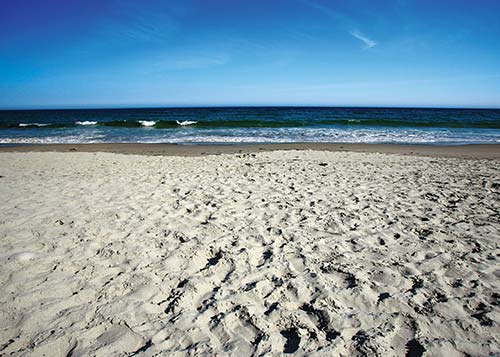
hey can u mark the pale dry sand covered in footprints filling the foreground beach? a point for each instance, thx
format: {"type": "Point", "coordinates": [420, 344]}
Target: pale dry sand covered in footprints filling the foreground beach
{"type": "Point", "coordinates": [321, 253]}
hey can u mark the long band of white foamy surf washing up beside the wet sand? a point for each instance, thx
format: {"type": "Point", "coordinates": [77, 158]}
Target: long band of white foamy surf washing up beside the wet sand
{"type": "Point", "coordinates": [291, 135]}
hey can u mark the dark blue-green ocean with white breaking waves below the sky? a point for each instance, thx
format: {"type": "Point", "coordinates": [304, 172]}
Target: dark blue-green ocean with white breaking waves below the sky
{"type": "Point", "coordinates": [252, 125]}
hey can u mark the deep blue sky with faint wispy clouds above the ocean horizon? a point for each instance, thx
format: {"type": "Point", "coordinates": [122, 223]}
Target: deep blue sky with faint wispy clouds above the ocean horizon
{"type": "Point", "coordinates": [124, 53]}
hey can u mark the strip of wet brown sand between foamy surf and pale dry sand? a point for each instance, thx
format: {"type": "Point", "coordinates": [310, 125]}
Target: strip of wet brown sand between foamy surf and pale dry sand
{"type": "Point", "coordinates": [470, 151]}
